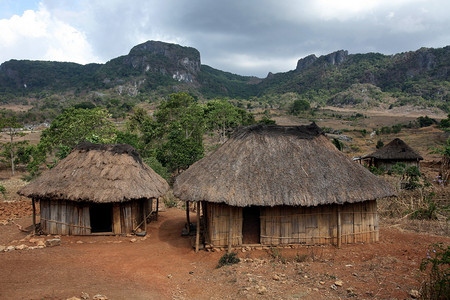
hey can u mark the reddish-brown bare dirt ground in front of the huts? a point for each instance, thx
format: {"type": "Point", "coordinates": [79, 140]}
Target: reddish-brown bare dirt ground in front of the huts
{"type": "Point", "coordinates": [163, 265]}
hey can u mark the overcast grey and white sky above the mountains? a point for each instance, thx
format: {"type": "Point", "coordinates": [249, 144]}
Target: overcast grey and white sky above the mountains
{"type": "Point", "coordinates": [250, 37]}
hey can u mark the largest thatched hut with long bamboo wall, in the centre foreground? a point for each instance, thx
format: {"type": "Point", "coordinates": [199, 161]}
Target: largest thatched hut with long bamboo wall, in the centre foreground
{"type": "Point", "coordinates": [275, 185]}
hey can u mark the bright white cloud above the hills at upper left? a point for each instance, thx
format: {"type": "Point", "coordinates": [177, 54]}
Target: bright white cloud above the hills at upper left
{"type": "Point", "coordinates": [39, 35]}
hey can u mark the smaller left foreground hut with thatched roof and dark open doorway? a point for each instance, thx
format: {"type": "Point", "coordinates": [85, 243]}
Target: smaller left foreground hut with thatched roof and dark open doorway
{"type": "Point", "coordinates": [96, 189]}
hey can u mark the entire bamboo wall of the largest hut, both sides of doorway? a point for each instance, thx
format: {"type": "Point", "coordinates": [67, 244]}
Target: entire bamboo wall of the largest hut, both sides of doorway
{"type": "Point", "coordinates": [283, 225]}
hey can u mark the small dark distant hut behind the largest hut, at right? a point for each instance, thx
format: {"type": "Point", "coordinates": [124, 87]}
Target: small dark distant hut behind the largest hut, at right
{"type": "Point", "coordinates": [392, 153]}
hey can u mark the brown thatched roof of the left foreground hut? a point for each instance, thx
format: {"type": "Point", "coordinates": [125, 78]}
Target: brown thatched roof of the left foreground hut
{"type": "Point", "coordinates": [98, 173]}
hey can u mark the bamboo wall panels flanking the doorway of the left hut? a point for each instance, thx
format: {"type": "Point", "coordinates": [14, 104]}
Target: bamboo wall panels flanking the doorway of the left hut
{"type": "Point", "coordinates": [73, 218]}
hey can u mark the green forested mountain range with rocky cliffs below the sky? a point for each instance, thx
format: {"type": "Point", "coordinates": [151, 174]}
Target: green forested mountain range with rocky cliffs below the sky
{"type": "Point", "coordinates": [153, 70]}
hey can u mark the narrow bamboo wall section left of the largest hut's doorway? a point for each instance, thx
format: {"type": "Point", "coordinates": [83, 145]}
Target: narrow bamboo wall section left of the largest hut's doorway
{"type": "Point", "coordinates": [218, 224]}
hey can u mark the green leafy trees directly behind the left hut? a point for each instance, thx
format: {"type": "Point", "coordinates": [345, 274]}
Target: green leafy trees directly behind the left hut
{"type": "Point", "coordinates": [169, 140]}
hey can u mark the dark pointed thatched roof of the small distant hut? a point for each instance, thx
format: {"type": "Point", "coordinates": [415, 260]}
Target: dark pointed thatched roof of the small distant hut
{"type": "Point", "coordinates": [395, 150]}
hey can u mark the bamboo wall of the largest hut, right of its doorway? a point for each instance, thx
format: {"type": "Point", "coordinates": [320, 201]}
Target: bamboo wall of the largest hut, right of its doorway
{"type": "Point", "coordinates": [318, 225]}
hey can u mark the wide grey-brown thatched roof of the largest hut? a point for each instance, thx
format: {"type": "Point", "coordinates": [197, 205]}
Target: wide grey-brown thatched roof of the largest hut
{"type": "Point", "coordinates": [274, 165]}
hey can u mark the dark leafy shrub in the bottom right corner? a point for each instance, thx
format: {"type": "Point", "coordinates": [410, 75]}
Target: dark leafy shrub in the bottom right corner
{"type": "Point", "coordinates": [437, 265]}
